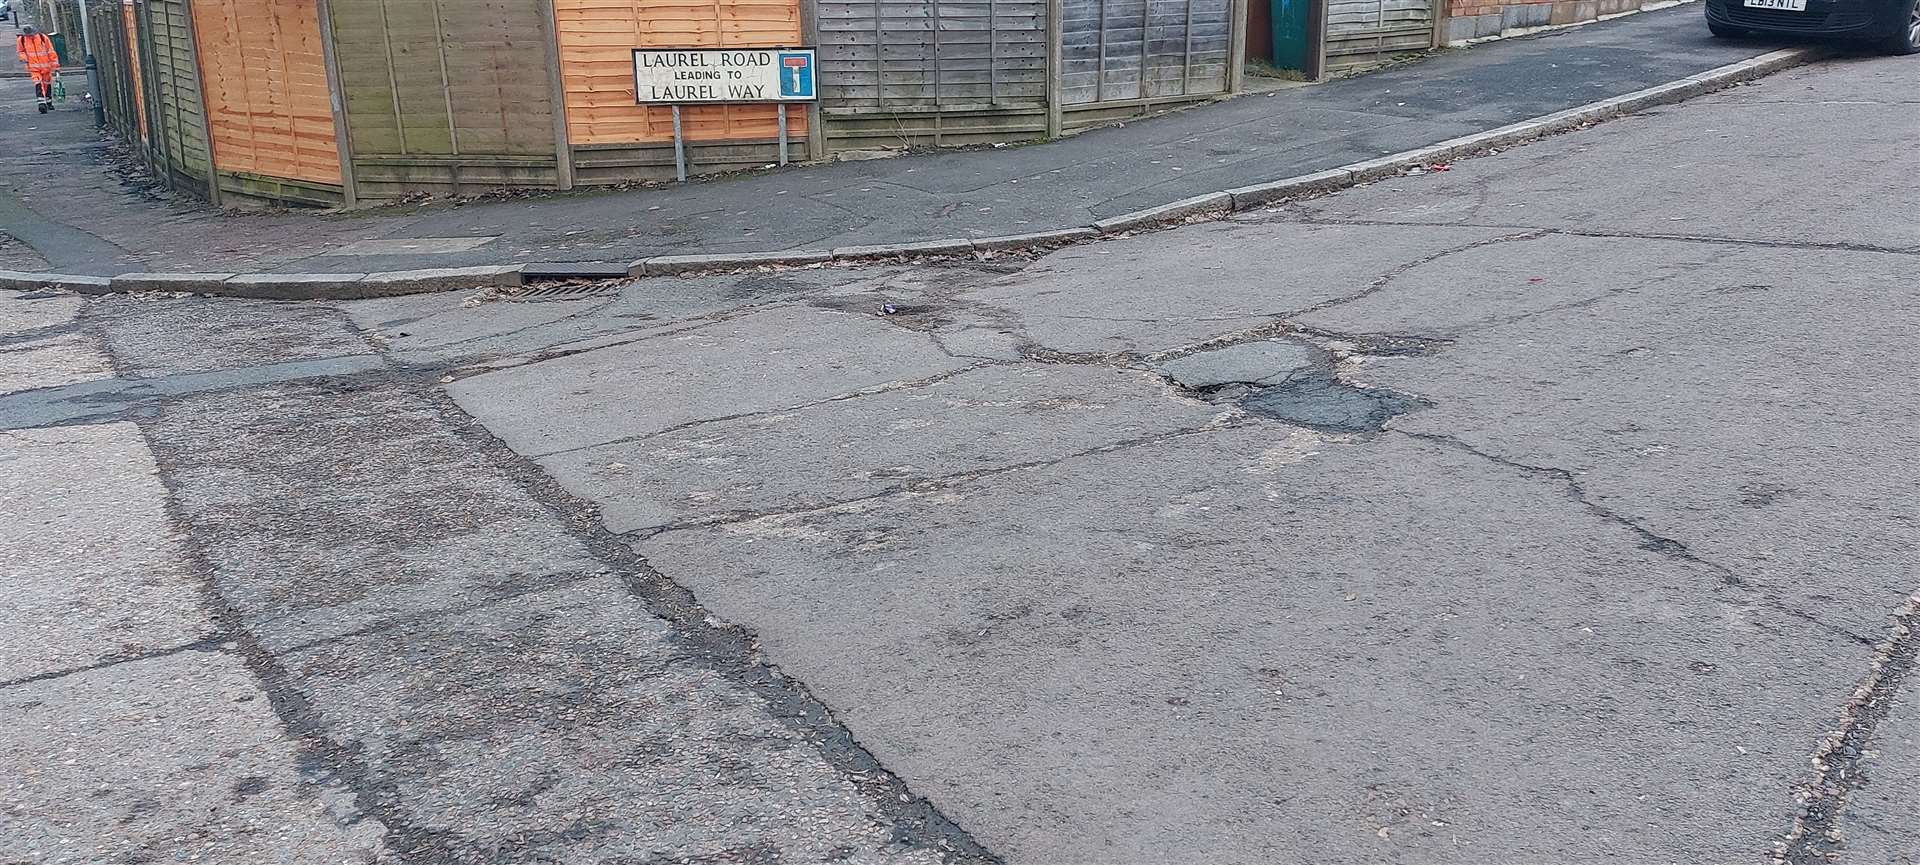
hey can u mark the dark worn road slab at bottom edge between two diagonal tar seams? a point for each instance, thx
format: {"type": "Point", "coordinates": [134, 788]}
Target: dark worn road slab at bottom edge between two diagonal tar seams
{"type": "Point", "coordinates": [565, 724]}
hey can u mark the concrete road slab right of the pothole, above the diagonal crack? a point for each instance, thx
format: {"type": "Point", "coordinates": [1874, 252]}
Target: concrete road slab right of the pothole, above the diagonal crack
{"type": "Point", "coordinates": [1683, 404]}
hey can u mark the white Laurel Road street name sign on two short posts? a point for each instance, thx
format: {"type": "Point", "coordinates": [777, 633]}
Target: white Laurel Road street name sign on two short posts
{"type": "Point", "coordinates": [683, 78]}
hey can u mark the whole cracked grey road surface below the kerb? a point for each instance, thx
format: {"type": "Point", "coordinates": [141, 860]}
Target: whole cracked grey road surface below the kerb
{"type": "Point", "coordinates": [1558, 507]}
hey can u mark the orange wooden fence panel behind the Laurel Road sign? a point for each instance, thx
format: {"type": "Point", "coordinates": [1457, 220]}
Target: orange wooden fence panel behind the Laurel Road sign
{"type": "Point", "coordinates": [598, 39]}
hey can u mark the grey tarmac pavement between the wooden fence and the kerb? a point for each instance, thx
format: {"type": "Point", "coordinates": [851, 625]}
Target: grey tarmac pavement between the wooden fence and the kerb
{"type": "Point", "coordinates": [82, 223]}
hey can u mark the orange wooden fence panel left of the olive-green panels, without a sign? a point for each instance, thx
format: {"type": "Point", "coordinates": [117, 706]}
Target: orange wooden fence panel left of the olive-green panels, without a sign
{"type": "Point", "coordinates": [266, 87]}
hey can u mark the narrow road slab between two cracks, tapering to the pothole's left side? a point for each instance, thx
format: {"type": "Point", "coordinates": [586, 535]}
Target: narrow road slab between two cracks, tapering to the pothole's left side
{"type": "Point", "coordinates": [982, 421]}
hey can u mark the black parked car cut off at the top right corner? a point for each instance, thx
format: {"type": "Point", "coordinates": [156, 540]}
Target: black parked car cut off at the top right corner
{"type": "Point", "coordinates": [1894, 26]}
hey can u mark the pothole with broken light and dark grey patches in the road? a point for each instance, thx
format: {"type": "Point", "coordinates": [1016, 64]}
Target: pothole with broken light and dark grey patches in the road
{"type": "Point", "coordinates": [1291, 383]}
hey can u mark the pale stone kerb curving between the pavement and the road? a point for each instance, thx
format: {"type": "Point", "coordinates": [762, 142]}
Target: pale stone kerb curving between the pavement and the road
{"type": "Point", "coordinates": [1197, 208]}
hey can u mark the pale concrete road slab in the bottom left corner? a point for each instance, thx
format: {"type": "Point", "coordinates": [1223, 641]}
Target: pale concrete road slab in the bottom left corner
{"type": "Point", "coordinates": [174, 759]}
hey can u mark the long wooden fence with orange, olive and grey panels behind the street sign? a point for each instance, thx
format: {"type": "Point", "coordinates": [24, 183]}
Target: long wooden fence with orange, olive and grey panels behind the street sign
{"type": "Point", "coordinates": [329, 103]}
